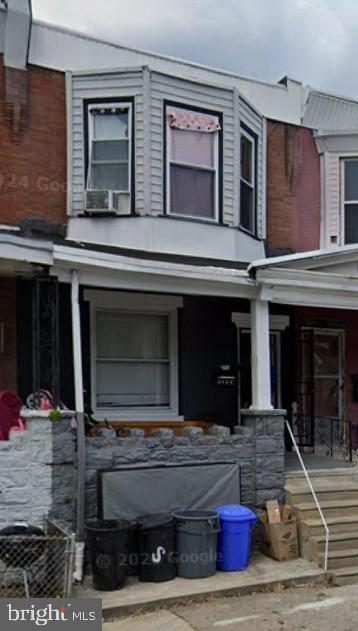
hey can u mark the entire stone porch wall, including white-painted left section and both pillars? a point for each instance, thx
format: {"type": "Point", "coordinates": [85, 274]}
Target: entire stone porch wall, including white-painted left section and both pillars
{"type": "Point", "coordinates": [38, 466]}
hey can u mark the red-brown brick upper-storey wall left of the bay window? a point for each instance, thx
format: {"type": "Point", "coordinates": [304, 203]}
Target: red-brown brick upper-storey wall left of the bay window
{"type": "Point", "coordinates": [33, 145]}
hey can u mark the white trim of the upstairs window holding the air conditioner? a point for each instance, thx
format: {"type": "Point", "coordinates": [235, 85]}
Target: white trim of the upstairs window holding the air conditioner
{"type": "Point", "coordinates": [110, 106]}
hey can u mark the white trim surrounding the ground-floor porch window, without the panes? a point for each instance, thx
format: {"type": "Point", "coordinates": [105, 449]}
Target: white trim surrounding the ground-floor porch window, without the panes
{"type": "Point", "coordinates": [146, 303]}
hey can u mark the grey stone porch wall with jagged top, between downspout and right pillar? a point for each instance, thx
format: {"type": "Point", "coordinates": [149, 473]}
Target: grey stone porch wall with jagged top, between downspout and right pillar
{"type": "Point", "coordinates": [106, 451]}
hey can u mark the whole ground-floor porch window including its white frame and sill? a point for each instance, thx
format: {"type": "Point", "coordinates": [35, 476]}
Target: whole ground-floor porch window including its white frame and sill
{"type": "Point", "coordinates": [134, 354]}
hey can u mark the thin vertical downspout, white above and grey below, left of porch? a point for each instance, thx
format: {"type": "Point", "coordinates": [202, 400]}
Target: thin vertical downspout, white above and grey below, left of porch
{"type": "Point", "coordinates": [81, 436]}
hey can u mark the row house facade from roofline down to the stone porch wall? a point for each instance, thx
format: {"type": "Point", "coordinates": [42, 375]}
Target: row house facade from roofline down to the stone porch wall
{"type": "Point", "coordinates": [176, 243]}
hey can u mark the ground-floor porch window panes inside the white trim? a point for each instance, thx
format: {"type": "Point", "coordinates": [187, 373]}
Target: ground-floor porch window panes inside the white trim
{"type": "Point", "coordinates": [132, 359]}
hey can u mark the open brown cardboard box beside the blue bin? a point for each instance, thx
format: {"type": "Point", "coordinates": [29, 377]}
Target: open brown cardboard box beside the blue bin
{"type": "Point", "coordinates": [280, 539]}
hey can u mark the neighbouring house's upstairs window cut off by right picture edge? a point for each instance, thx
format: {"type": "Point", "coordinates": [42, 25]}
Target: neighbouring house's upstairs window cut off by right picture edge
{"type": "Point", "coordinates": [350, 200]}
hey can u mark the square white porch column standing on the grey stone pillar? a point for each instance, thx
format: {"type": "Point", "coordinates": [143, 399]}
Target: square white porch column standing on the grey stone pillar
{"type": "Point", "coordinates": [260, 356]}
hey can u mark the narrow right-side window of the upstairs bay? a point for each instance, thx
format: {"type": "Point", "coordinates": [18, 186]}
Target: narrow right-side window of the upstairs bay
{"type": "Point", "coordinates": [247, 181]}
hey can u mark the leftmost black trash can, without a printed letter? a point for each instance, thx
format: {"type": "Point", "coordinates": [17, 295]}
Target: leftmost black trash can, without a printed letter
{"type": "Point", "coordinates": [108, 545]}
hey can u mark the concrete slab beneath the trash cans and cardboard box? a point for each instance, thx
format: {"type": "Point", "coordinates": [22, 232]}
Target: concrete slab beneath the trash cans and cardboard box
{"type": "Point", "coordinates": [263, 574]}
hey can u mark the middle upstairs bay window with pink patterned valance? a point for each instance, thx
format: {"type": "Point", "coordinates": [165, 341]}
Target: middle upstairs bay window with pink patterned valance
{"type": "Point", "coordinates": [192, 164]}
